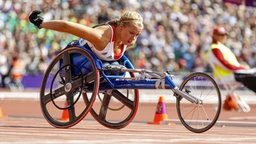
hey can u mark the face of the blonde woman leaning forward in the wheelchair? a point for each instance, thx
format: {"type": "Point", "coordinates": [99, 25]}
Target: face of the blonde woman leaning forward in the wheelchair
{"type": "Point", "coordinates": [130, 33]}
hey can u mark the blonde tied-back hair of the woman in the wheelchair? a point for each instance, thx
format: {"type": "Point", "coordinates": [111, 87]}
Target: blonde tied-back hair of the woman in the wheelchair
{"type": "Point", "coordinates": [128, 17]}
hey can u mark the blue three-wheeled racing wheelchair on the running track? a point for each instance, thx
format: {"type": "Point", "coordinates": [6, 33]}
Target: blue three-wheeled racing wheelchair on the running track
{"type": "Point", "coordinates": [76, 78]}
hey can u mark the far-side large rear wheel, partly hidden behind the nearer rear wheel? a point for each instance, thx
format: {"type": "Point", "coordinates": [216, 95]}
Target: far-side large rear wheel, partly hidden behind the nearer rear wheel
{"type": "Point", "coordinates": [116, 108]}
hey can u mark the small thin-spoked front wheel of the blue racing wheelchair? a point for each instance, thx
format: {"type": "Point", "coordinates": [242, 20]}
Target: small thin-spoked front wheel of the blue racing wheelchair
{"type": "Point", "coordinates": [201, 116]}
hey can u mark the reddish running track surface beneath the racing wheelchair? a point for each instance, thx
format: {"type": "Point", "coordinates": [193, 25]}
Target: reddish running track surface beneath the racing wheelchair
{"type": "Point", "coordinates": [25, 124]}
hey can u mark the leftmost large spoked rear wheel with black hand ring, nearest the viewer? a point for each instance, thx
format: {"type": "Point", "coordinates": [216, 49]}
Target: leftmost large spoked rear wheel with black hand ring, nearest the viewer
{"type": "Point", "coordinates": [62, 88]}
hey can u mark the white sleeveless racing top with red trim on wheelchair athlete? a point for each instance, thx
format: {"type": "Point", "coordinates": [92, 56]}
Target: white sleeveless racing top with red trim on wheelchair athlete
{"type": "Point", "coordinates": [107, 53]}
